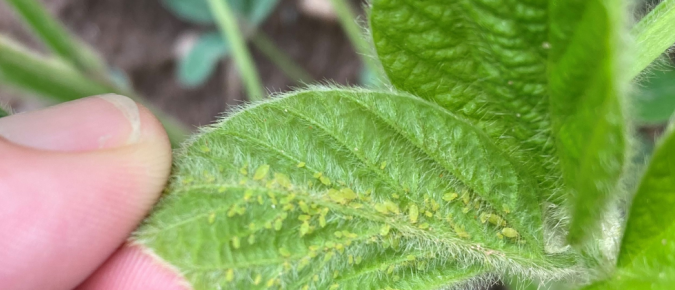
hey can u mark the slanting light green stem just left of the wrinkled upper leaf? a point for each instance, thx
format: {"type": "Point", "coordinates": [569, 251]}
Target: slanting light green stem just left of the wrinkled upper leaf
{"type": "Point", "coordinates": [347, 16]}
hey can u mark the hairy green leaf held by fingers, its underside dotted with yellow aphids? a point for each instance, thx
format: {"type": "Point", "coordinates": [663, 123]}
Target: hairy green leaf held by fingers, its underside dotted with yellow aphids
{"type": "Point", "coordinates": [319, 188]}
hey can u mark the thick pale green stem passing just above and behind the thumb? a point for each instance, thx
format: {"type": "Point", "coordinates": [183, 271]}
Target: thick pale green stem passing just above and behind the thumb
{"type": "Point", "coordinates": [60, 82]}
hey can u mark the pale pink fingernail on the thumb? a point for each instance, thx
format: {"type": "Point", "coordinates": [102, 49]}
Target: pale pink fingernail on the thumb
{"type": "Point", "coordinates": [99, 122]}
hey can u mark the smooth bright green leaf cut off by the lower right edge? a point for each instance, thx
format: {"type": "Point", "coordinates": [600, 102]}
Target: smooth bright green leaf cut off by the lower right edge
{"type": "Point", "coordinates": [647, 256]}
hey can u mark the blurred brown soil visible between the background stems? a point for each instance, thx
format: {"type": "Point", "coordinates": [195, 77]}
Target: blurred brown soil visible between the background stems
{"type": "Point", "coordinates": [141, 38]}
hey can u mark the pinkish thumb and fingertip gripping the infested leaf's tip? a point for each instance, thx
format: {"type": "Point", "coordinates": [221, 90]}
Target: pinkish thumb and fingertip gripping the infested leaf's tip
{"type": "Point", "coordinates": [75, 180]}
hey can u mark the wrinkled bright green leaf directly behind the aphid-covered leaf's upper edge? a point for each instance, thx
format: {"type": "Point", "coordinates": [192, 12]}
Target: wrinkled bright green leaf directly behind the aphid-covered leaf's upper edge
{"type": "Point", "coordinates": [485, 60]}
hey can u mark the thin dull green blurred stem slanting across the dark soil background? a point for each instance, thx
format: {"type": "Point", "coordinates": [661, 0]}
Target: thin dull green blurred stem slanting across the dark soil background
{"type": "Point", "coordinates": [279, 58]}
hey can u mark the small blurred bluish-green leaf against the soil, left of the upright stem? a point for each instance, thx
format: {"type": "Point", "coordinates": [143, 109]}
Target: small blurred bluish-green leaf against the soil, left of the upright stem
{"type": "Point", "coordinates": [196, 67]}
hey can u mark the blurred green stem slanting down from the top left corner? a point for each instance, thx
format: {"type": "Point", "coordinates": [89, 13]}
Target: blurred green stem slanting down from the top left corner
{"type": "Point", "coordinates": [57, 38]}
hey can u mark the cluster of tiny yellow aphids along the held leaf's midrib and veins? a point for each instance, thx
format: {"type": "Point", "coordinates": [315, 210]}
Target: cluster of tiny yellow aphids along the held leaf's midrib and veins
{"type": "Point", "coordinates": [312, 214]}
